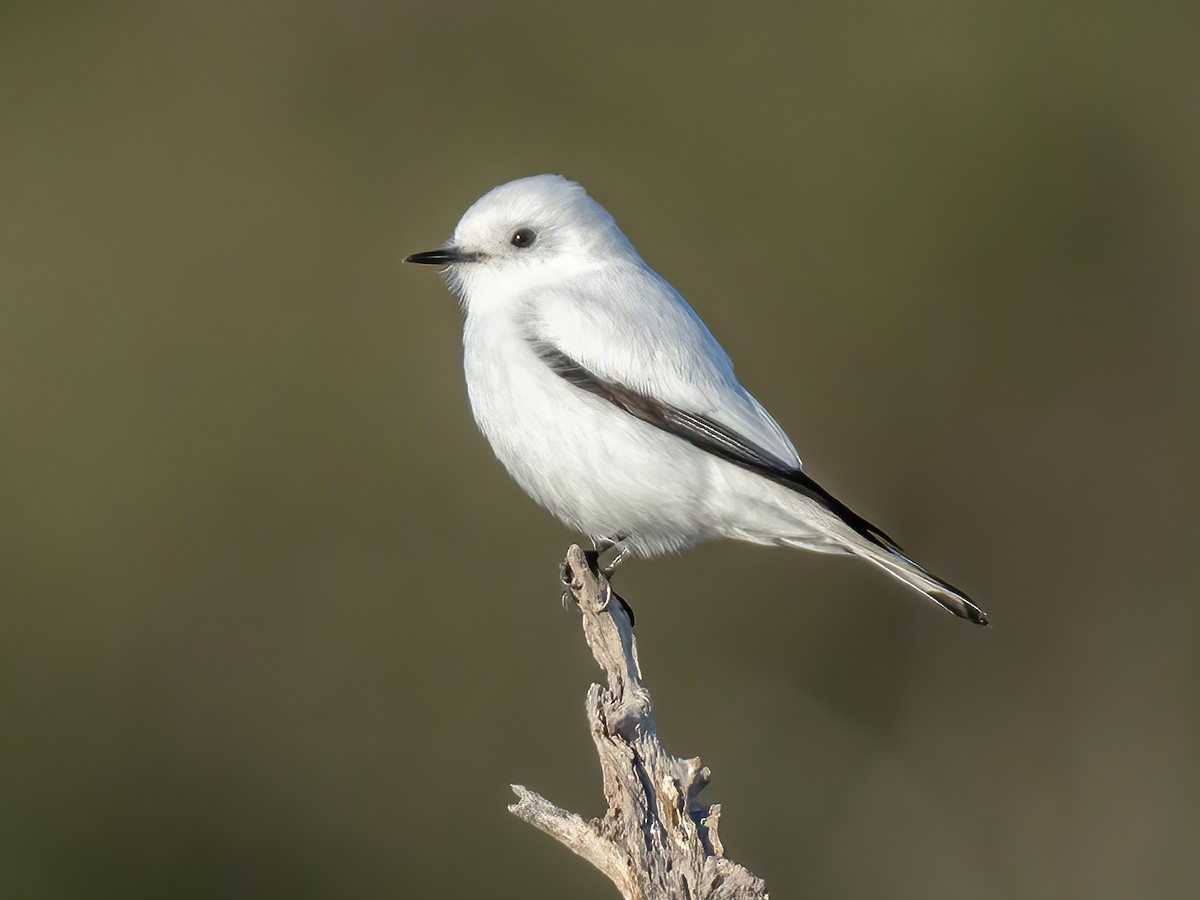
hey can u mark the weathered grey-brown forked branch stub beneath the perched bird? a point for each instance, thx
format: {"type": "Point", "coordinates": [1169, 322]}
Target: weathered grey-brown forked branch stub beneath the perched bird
{"type": "Point", "coordinates": [657, 842]}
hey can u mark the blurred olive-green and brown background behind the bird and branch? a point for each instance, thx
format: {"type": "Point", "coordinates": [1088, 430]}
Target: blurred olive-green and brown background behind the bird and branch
{"type": "Point", "coordinates": [277, 625]}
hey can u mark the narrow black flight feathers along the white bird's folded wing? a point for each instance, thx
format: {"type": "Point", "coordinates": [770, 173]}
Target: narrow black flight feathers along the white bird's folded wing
{"type": "Point", "coordinates": [707, 435]}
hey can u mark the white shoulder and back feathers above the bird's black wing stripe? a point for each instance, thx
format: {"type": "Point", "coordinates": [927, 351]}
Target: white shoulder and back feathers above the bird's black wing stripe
{"type": "Point", "coordinates": [627, 326]}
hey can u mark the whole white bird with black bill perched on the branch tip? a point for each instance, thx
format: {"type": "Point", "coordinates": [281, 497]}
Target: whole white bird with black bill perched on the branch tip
{"type": "Point", "coordinates": [613, 405]}
